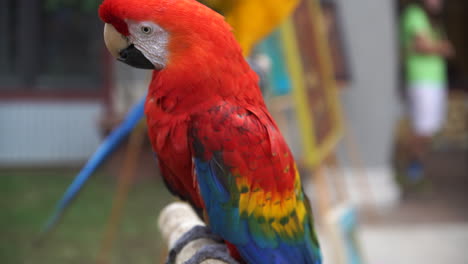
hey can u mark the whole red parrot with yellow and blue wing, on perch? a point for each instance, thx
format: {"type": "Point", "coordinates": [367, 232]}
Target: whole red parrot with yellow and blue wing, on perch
{"type": "Point", "coordinates": [218, 147]}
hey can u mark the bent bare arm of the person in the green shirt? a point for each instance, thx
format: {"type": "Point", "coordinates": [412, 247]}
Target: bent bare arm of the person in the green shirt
{"type": "Point", "coordinates": [423, 44]}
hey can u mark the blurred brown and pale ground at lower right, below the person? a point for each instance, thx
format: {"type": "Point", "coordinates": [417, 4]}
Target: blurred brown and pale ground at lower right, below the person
{"type": "Point", "coordinates": [430, 225]}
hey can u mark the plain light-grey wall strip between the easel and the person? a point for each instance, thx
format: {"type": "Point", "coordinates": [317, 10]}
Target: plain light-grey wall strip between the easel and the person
{"type": "Point", "coordinates": [371, 105]}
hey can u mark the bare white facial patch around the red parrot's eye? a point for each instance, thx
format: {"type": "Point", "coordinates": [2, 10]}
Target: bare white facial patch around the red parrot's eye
{"type": "Point", "coordinates": [151, 40]}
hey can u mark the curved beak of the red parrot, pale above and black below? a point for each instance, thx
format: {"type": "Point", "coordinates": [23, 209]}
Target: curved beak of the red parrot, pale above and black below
{"type": "Point", "coordinates": [121, 48]}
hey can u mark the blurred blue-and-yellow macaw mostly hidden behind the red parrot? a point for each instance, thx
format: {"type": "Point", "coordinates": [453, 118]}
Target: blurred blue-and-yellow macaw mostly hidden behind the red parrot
{"type": "Point", "coordinates": [251, 20]}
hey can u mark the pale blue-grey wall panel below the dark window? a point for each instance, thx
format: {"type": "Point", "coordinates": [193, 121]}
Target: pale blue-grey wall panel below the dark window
{"type": "Point", "coordinates": [48, 133]}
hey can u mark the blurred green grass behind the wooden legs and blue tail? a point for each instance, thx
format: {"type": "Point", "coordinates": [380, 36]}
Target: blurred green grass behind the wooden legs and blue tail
{"type": "Point", "coordinates": [28, 197]}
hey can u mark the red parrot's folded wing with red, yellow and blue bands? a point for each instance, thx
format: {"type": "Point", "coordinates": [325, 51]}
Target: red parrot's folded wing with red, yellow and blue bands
{"type": "Point", "coordinates": [250, 186]}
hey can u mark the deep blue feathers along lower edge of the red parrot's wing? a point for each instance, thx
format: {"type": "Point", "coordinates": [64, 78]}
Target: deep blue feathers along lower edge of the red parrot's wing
{"type": "Point", "coordinates": [226, 222]}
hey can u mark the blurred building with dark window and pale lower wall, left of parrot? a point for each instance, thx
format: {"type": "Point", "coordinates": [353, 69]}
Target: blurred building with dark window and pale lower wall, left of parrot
{"type": "Point", "coordinates": [55, 82]}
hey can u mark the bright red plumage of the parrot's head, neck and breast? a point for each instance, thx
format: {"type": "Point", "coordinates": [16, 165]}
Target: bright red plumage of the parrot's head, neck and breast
{"type": "Point", "coordinates": [205, 67]}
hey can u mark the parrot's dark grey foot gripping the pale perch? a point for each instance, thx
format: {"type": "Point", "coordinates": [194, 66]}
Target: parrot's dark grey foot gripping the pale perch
{"type": "Point", "coordinates": [213, 251]}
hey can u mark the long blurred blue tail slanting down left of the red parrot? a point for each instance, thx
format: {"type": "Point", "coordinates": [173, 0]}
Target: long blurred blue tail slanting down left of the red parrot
{"type": "Point", "coordinates": [134, 116]}
